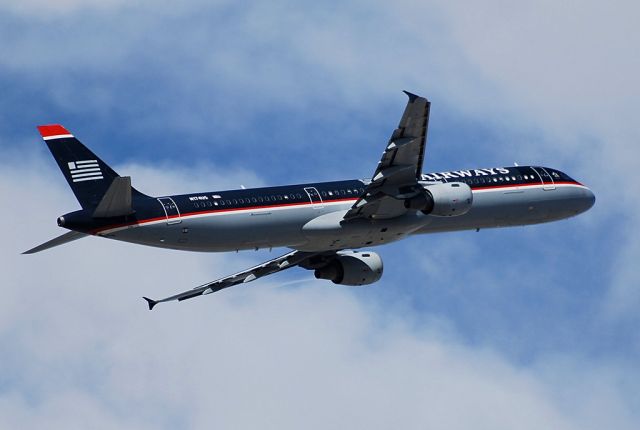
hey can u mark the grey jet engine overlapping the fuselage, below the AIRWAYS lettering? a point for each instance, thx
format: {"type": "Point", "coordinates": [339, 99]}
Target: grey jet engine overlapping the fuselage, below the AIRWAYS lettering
{"type": "Point", "coordinates": [445, 199]}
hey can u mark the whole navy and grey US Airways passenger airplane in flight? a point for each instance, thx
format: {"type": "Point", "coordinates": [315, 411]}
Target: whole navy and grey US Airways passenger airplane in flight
{"type": "Point", "coordinates": [325, 225]}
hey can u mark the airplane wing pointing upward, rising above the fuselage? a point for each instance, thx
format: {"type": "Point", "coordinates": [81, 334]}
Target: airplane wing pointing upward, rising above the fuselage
{"type": "Point", "coordinates": [398, 172]}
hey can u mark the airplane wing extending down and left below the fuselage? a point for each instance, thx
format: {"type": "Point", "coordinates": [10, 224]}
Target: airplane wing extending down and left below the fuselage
{"type": "Point", "coordinates": [292, 259]}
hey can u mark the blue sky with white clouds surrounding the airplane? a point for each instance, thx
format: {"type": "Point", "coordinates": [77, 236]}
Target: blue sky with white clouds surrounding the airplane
{"type": "Point", "coordinates": [525, 327]}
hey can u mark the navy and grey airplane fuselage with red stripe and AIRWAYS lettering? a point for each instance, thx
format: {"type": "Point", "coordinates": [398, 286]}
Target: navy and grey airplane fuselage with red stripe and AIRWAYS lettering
{"type": "Point", "coordinates": [309, 216]}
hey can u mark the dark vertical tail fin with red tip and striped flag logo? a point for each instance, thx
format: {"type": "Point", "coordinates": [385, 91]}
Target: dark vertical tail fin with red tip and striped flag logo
{"type": "Point", "coordinates": [88, 176]}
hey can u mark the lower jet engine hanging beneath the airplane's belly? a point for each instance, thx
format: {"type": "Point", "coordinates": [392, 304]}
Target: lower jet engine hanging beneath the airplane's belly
{"type": "Point", "coordinates": [352, 268]}
